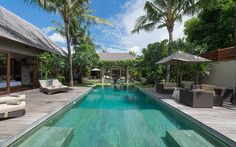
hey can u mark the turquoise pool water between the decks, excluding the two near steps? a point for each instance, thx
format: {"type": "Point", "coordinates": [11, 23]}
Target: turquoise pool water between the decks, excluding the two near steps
{"type": "Point", "coordinates": [120, 116]}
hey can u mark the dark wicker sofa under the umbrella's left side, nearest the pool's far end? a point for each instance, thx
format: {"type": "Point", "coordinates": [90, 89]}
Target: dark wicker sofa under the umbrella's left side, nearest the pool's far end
{"type": "Point", "coordinates": [166, 88]}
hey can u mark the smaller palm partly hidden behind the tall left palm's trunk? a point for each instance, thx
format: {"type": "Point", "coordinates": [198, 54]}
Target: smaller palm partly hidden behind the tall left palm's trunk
{"type": "Point", "coordinates": [79, 30]}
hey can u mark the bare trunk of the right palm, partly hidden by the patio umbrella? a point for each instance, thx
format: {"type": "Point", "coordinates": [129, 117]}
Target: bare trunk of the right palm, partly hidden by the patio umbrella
{"type": "Point", "coordinates": [170, 31]}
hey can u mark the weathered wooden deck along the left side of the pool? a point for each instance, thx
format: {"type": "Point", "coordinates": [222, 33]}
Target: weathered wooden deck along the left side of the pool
{"type": "Point", "coordinates": [38, 105]}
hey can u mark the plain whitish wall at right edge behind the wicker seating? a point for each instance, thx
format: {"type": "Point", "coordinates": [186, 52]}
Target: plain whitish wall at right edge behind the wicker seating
{"type": "Point", "coordinates": [222, 74]}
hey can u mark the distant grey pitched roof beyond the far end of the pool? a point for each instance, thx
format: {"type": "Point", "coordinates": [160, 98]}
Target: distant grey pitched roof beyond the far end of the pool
{"type": "Point", "coordinates": [105, 56]}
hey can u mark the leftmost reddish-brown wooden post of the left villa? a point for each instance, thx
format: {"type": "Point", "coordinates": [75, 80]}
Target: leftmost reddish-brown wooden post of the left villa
{"type": "Point", "coordinates": [8, 74]}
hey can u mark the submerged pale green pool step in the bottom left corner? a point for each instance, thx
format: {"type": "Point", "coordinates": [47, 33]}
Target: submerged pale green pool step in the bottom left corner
{"type": "Point", "coordinates": [49, 137]}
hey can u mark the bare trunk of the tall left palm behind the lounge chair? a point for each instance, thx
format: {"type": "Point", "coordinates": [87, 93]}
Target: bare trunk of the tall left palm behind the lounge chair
{"type": "Point", "coordinates": [67, 31]}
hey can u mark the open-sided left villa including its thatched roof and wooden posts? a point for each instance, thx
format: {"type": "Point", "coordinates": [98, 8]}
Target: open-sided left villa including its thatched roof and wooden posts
{"type": "Point", "coordinates": [20, 43]}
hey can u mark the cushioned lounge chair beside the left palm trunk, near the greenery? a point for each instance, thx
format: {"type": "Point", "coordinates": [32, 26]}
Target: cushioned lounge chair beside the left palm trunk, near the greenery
{"type": "Point", "coordinates": [52, 86]}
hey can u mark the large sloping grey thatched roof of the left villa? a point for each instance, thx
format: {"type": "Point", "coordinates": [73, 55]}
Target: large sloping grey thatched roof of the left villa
{"type": "Point", "coordinates": [17, 29]}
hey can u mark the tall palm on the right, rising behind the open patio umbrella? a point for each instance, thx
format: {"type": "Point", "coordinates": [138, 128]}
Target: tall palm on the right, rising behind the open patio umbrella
{"type": "Point", "coordinates": [164, 13]}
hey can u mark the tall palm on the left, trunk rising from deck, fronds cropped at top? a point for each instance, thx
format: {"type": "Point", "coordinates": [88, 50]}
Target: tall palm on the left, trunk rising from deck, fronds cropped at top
{"type": "Point", "coordinates": [67, 9]}
